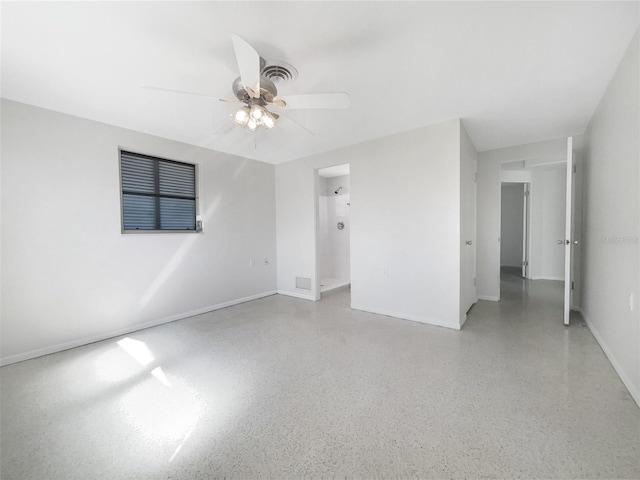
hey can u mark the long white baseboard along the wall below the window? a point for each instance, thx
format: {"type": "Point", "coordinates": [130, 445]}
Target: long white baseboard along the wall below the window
{"type": "Point", "coordinates": [20, 357]}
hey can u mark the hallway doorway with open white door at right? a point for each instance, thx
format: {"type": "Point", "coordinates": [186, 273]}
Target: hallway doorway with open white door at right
{"type": "Point", "coordinates": [550, 226]}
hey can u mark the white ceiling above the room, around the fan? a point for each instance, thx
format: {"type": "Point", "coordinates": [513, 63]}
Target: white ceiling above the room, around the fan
{"type": "Point", "coordinates": [514, 72]}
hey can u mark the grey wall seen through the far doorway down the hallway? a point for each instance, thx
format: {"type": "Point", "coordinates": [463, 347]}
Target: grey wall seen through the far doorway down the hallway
{"type": "Point", "coordinates": [511, 221]}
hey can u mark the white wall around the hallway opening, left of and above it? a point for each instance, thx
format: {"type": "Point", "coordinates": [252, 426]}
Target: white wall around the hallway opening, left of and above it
{"type": "Point", "coordinates": [488, 218]}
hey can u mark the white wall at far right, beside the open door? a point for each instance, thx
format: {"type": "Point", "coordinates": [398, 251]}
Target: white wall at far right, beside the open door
{"type": "Point", "coordinates": [611, 260]}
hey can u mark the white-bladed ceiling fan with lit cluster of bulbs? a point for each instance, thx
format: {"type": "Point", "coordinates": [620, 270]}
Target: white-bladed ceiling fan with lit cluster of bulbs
{"type": "Point", "coordinates": [255, 89]}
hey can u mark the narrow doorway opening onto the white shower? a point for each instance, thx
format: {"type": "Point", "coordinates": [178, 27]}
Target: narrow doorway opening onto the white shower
{"type": "Point", "coordinates": [334, 228]}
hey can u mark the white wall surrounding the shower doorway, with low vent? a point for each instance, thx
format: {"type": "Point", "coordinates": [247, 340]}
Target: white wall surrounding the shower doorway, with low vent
{"type": "Point", "coordinates": [405, 216]}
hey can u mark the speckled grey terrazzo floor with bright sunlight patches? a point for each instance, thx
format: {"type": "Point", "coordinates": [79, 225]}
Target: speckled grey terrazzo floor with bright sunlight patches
{"type": "Point", "coordinates": [282, 387]}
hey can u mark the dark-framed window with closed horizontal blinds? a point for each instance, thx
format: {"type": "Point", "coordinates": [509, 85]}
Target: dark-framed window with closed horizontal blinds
{"type": "Point", "coordinates": [157, 194]}
